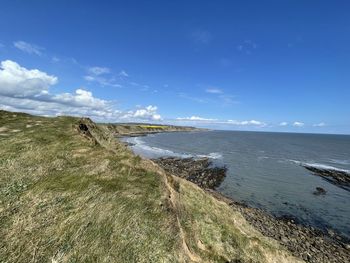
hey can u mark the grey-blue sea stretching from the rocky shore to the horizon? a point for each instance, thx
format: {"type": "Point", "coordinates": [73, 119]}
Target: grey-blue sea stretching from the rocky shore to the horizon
{"type": "Point", "coordinates": [264, 170]}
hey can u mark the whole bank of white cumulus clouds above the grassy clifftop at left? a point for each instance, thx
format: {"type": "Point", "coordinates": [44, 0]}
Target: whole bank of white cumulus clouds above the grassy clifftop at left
{"type": "Point", "coordinates": [28, 91]}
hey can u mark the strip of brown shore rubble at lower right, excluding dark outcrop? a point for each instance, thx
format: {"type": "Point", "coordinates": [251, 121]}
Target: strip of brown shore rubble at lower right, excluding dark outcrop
{"type": "Point", "coordinates": [308, 243]}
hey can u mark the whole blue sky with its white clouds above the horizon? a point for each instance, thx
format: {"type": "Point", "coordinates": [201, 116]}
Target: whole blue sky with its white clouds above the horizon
{"type": "Point", "coordinates": [236, 65]}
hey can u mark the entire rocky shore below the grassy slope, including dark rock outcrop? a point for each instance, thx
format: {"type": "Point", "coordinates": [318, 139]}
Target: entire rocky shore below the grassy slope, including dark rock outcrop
{"type": "Point", "coordinates": [310, 244]}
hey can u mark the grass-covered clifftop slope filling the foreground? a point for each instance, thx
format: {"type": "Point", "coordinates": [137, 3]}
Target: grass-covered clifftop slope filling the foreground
{"type": "Point", "coordinates": [69, 192]}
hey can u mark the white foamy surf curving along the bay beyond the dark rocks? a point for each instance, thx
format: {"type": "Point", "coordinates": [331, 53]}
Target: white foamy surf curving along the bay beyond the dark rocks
{"type": "Point", "coordinates": [139, 145]}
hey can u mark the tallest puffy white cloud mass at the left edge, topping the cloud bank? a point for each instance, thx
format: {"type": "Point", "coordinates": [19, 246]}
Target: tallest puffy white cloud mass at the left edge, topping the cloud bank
{"type": "Point", "coordinates": [16, 81]}
